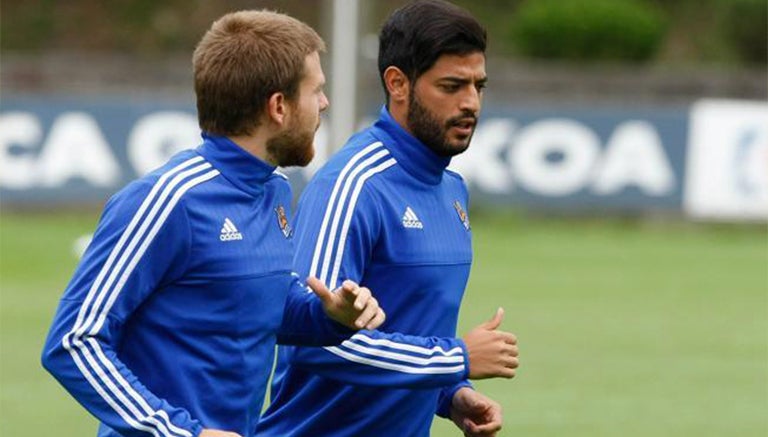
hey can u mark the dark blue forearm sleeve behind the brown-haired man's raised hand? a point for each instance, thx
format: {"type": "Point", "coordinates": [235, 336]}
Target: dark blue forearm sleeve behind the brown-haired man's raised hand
{"type": "Point", "coordinates": [304, 320]}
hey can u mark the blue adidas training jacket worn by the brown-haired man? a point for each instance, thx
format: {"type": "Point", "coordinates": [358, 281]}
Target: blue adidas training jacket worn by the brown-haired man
{"type": "Point", "coordinates": [168, 325]}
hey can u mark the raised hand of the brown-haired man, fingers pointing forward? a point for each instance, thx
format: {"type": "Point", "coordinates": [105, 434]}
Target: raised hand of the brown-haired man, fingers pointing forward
{"type": "Point", "coordinates": [351, 305]}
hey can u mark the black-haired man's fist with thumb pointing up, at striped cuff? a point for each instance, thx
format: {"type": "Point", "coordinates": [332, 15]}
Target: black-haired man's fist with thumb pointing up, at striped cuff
{"type": "Point", "coordinates": [492, 353]}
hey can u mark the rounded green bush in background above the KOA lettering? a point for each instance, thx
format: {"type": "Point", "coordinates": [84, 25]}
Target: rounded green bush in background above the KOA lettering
{"type": "Point", "coordinates": [626, 30]}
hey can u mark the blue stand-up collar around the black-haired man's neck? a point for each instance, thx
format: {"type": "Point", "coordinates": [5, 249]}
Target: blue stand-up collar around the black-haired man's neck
{"type": "Point", "coordinates": [411, 154]}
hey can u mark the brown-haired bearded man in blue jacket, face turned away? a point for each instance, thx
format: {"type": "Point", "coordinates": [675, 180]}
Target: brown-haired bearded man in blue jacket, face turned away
{"type": "Point", "coordinates": [168, 326]}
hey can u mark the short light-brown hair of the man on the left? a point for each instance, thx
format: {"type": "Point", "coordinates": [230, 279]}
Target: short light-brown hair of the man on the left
{"type": "Point", "coordinates": [242, 60]}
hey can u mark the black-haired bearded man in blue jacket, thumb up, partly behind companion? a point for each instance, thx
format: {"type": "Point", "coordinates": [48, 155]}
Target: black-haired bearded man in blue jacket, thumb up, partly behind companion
{"type": "Point", "coordinates": [385, 212]}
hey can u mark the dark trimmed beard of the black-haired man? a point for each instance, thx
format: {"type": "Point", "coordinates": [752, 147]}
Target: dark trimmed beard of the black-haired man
{"type": "Point", "coordinates": [425, 126]}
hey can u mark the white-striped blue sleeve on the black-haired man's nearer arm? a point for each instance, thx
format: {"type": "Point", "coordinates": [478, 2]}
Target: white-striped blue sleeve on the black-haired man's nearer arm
{"type": "Point", "coordinates": [333, 241]}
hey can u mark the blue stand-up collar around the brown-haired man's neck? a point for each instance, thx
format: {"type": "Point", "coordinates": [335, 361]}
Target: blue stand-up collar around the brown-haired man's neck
{"type": "Point", "coordinates": [238, 166]}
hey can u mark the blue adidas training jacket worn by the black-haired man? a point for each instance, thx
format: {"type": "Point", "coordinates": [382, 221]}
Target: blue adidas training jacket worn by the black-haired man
{"type": "Point", "coordinates": [384, 212]}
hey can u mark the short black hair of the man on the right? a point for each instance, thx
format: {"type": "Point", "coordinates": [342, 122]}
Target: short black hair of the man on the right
{"type": "Point", "coordinates": [415, 36]}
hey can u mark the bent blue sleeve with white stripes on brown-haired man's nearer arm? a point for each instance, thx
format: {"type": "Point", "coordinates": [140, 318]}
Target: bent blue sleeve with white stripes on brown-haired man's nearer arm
{"type": "Point", "coordinates": [142, 241]}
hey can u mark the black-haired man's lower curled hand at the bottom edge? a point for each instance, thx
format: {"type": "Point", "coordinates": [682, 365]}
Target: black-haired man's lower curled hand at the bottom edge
{"type": "Point", "coordinates": [475, 414]}
